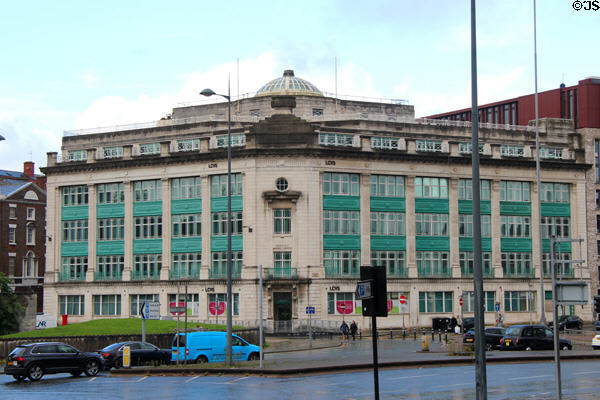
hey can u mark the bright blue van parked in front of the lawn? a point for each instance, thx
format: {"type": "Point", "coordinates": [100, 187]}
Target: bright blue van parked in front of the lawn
{"type": "Point", "coordinates": [202, 347]}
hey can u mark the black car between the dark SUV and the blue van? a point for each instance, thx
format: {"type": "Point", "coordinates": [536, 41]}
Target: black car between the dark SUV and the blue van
{"type": "Point", "coordinates": [140, 352]}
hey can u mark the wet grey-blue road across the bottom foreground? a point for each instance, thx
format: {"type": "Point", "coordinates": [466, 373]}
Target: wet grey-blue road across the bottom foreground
{"type": "Point", "coordinates": [505, 381]}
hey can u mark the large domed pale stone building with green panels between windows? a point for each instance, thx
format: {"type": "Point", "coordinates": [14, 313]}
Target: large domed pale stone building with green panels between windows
{"type": "Point", "coordinates": [320, 186]}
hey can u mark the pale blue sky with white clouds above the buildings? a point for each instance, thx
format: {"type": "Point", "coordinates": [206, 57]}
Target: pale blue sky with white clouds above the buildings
{"type": "Point", "coordinates": [70, 65]}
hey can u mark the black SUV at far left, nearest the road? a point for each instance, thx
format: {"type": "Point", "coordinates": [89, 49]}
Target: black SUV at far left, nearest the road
{"type": "Point", "coordinates": [34, 360]}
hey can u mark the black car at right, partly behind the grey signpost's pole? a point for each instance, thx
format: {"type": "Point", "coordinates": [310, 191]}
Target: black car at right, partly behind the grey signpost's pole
{"type": "Point", "coordinates": [531, 337]}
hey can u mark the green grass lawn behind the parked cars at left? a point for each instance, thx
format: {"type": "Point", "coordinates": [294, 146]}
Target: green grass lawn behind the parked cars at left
{"type": "Point", "coordinates": [120, 326]}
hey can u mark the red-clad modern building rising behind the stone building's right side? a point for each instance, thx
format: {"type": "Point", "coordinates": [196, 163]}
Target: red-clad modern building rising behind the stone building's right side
{"type": "Point", "coordinates": [580, 103]}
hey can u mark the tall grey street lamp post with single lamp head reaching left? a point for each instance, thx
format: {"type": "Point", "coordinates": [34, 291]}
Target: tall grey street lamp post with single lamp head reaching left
{"type": "Point", "coordinates": [208, 93]}
